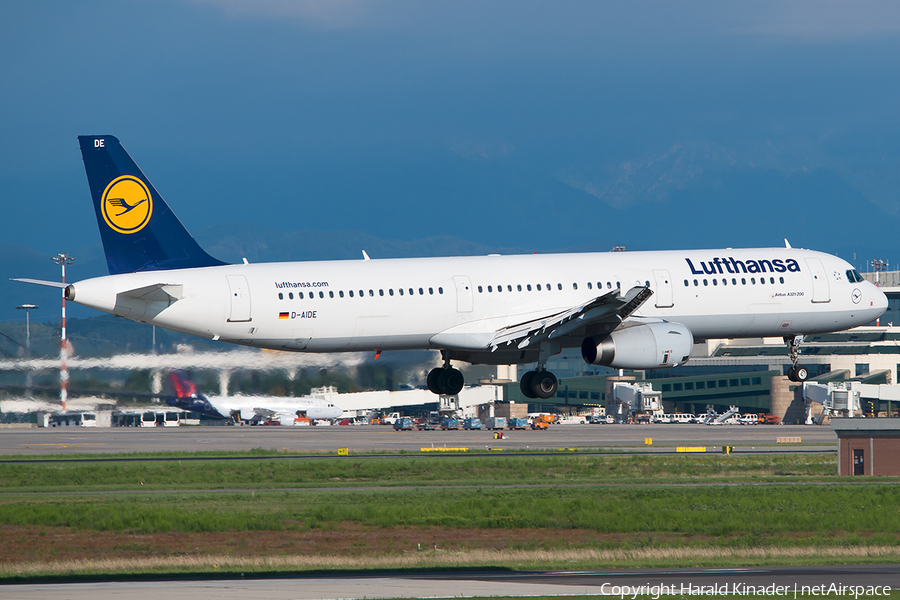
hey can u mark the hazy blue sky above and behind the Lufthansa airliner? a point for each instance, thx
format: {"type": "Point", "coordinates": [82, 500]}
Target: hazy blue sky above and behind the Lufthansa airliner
{"type": "Point", "coordinates": [520, 124]}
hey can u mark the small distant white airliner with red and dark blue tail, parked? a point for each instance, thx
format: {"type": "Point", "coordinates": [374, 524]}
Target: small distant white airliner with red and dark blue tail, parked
{"type": "Point", "coordinates": [249, 408]}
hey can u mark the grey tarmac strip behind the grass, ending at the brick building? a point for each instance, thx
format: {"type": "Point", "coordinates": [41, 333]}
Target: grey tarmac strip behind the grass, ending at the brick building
{"type": "Point", "coordinates": [375, 438]}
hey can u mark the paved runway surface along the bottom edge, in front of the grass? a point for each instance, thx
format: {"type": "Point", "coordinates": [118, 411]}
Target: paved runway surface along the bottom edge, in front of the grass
{"type": "Point", "coordinates": [619, 582]}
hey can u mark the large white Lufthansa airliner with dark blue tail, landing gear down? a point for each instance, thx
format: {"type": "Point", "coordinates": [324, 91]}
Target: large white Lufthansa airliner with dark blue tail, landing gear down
{"type": "Point", "coordinates": [626, 310]}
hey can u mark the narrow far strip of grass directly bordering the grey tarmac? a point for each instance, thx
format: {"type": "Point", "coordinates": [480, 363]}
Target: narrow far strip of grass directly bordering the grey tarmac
{"type": "Point", "coordinates": [432, 470]}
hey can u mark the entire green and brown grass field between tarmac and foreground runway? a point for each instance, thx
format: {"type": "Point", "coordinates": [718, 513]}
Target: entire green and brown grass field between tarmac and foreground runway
{"type": "Point", "coordinates": [516, 511]}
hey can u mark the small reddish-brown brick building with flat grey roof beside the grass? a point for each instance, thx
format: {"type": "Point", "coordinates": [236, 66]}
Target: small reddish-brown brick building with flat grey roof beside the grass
{"type": "Point", "coordinates": [868, 446]}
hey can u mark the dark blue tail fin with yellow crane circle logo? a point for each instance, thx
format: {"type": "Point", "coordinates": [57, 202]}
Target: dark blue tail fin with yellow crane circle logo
{"type": "Point", "coordinates": [139, 231]}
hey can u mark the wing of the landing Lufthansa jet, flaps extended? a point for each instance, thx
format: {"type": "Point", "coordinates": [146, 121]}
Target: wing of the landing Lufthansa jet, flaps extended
{"type": "Point", "coordinates": [612, 306]}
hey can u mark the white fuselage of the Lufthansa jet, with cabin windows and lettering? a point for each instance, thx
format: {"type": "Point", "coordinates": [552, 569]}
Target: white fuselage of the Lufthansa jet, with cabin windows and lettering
{"type": "Point", "coordinates": [459, 303]}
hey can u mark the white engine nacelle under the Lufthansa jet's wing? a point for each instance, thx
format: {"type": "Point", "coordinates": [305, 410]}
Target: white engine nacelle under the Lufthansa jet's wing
{"type": "Point", "coordinates": [649, 346]}
